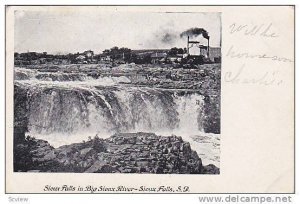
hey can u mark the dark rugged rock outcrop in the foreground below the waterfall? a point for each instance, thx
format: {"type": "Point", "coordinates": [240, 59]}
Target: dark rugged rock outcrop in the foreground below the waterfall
{"type": "Point", "coordinates": [121, 153]}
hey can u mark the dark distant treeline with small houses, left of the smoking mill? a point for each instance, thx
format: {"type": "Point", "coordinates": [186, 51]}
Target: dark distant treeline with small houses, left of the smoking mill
{"type": "Point", "coordinates": [115, 54]}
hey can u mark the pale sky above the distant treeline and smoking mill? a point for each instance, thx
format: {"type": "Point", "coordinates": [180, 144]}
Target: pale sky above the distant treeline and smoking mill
{"type": "Point", "coordinates": [77, 31]}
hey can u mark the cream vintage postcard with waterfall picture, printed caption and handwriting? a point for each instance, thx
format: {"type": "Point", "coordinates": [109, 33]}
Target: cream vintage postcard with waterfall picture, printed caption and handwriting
{"type": "Point", "coordinates": [149, 99]}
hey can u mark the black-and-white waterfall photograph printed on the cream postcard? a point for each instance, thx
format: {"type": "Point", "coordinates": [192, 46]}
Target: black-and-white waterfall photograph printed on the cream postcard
{"type": "Point", "coordinates": [117, 92]}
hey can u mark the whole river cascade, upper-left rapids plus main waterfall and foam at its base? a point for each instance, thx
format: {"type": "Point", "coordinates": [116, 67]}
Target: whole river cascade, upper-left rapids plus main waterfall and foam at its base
{"type": "Point", "coordinates": [69, 111]}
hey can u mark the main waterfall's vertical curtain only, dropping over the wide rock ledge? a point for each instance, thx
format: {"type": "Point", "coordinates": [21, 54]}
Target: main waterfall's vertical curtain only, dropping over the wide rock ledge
{"type": "Point", "coordinates": [67, 111]}
